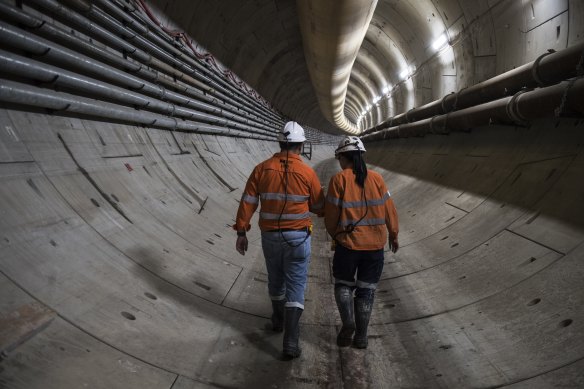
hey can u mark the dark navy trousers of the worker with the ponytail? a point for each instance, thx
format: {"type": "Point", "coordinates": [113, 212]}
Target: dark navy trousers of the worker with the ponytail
{"type": "Point", "coordinates": [366, 265]}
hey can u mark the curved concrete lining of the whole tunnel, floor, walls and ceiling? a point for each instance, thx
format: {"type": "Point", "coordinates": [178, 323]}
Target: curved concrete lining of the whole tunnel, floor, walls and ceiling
{"type": "Point", "coordinates": [117, 267]}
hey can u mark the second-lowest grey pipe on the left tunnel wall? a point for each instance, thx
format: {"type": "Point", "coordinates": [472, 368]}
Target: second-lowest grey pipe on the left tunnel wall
{"type": "Point", "coordinates": [31, 69]}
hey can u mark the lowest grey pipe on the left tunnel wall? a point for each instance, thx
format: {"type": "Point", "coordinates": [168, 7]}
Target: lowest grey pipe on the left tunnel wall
{"type": "Point", "coordinates": [22, 94]}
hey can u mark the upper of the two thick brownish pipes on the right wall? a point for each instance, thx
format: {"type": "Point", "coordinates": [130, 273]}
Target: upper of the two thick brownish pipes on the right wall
{"type": "Point", "coordinates": [548, 69]}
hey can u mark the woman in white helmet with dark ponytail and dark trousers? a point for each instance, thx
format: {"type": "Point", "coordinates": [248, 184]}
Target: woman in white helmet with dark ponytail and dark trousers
{"type": "Point", "coordinates": [358, 210]}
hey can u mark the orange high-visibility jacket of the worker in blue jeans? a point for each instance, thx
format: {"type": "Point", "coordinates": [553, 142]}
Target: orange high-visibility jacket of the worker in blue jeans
{"type": "Point", "coordinates": [289, 202]}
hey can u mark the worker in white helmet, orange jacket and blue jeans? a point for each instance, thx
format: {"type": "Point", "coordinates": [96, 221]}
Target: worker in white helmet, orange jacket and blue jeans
{"type": "Point", "coordinates": [288, 189]}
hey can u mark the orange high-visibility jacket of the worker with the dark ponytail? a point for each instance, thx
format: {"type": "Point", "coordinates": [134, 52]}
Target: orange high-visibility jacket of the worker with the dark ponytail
{"type": "Point", "coordinates": [345, 205]}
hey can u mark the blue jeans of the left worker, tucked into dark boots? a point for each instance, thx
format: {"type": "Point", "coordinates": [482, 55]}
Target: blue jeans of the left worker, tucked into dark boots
{"type": "Point", "coordinates": [287, 266]}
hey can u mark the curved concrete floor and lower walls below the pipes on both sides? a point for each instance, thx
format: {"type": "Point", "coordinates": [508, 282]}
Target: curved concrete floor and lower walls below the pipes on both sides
{"type": "Point", "coordinates": [116, 252]}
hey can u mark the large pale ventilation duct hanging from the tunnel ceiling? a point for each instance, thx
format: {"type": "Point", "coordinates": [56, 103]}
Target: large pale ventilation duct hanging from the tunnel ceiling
{"type": "Point", "coordinates": [332, 33]}
